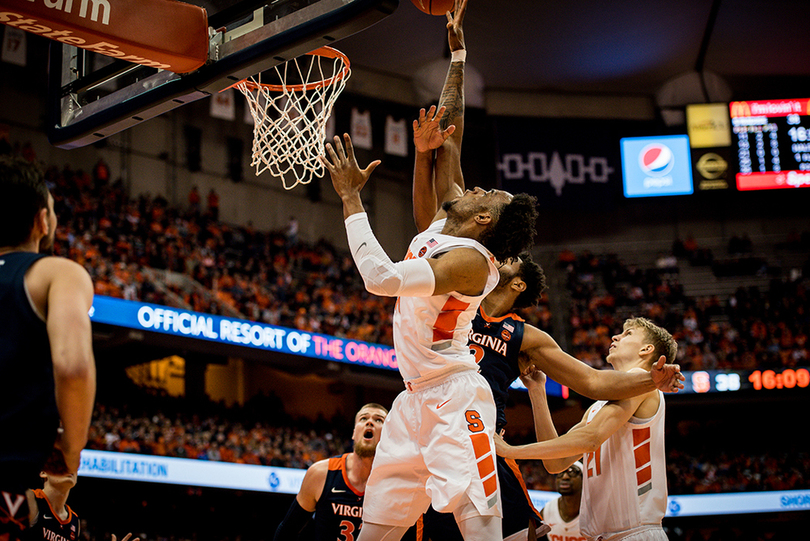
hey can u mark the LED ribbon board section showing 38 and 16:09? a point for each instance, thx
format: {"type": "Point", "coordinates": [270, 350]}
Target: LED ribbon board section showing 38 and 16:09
{"type": "Point", "coordinates": [712, 381]}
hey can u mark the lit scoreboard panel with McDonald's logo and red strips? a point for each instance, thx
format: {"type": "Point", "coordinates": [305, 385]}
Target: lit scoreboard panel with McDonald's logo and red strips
{"type": "Point", "coordinates": [773, 143]}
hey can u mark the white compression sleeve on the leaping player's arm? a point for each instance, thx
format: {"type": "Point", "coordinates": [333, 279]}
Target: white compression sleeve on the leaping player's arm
{"type": "Point", "coordinates": [410, 278]}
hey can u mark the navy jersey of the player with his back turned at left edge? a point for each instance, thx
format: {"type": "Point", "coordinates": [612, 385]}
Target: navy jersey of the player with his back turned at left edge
{"type": "Point", "coordinates": [28, 414]}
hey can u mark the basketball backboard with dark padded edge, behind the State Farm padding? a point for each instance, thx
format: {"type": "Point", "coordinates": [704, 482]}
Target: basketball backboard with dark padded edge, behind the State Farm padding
{"type": "Point", "coordinates": [92, 96]}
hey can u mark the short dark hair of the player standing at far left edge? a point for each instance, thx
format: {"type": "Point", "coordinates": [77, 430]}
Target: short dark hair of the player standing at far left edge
{"type": "Point", "coordinates": [23, 193]}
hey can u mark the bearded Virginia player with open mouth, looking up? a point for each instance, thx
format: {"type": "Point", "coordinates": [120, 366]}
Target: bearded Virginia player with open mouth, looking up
{"type": "Point", "coordinates": [331, 494]}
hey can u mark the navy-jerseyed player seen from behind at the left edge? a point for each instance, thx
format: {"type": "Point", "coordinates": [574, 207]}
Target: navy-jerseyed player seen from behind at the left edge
{"type": "Point", "coordinates": [47, 371]}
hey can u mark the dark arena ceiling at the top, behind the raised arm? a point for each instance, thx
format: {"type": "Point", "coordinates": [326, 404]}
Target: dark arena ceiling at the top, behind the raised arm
{"type": "Point", "coordinates": [761, 50]}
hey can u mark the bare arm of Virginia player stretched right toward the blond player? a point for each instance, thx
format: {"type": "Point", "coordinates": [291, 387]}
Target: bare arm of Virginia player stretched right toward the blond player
{"type": "Point", "coordinates": [542, 350]}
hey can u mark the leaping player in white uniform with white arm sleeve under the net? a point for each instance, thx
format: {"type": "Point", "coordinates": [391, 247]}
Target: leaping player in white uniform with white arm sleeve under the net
{"type": "Point", "coordinates": [436, 446]}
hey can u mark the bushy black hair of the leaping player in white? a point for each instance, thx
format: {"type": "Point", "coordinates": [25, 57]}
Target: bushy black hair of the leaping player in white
{"type": "Point", "coordinates": [514, 228]}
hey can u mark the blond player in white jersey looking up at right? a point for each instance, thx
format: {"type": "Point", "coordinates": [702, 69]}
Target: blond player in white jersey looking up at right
{"type": "Point", "coordinates": [624, 493]}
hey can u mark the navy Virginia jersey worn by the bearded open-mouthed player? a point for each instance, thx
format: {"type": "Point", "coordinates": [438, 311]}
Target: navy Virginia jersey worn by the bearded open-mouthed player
{"type": "Point", "coordinates": [339, 511]}
